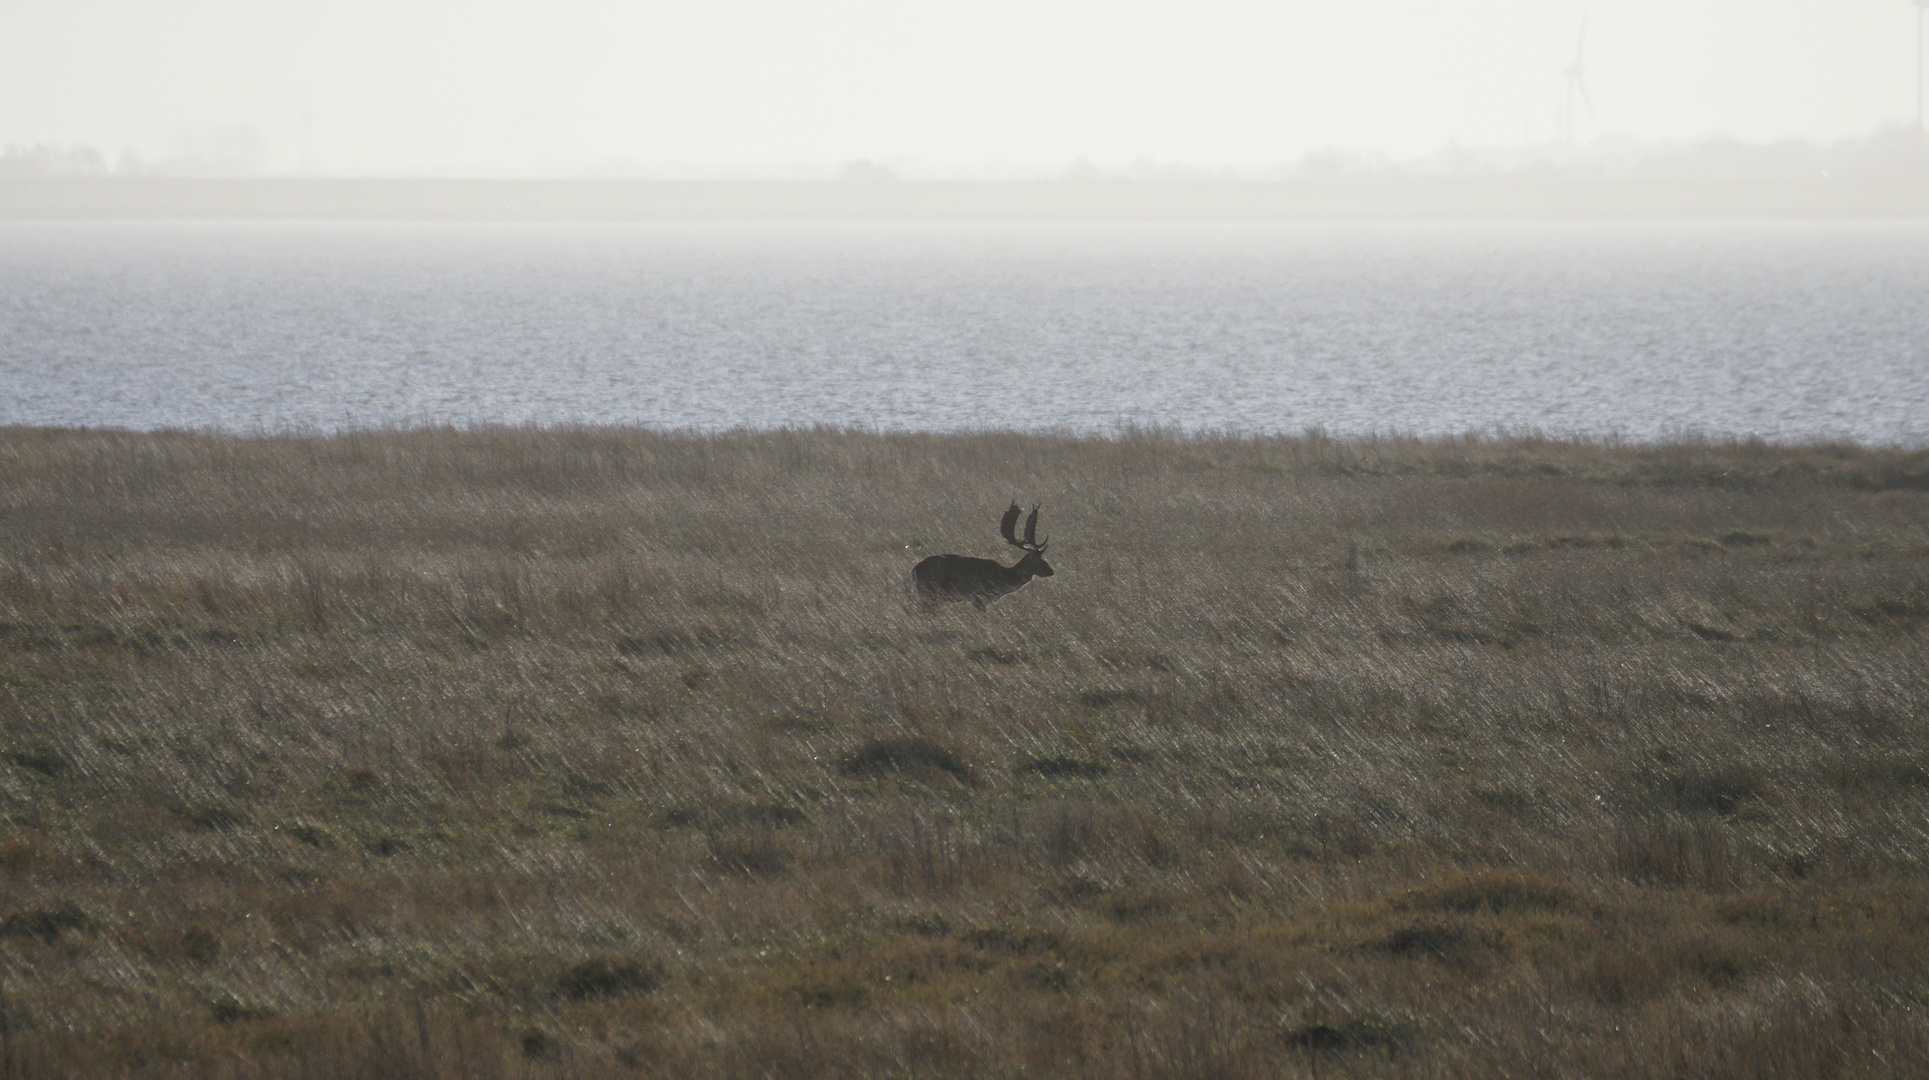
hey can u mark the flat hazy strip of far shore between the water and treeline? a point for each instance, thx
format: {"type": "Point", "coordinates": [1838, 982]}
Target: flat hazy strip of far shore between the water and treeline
{"type": "Point", "coordinates": [1448, 200]}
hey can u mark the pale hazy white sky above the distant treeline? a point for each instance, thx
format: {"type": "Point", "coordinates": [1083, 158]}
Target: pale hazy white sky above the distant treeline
{"type": "Point", "coordinates": [1012, 86]}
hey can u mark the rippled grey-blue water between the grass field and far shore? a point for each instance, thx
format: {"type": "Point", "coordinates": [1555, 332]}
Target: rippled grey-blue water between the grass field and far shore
{"type": "Point", "coordinates": [1785, 331]}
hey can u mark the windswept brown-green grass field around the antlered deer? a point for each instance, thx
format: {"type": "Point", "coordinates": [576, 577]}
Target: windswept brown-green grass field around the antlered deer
{"type": "Point", "coordinates": [607, 753]}
